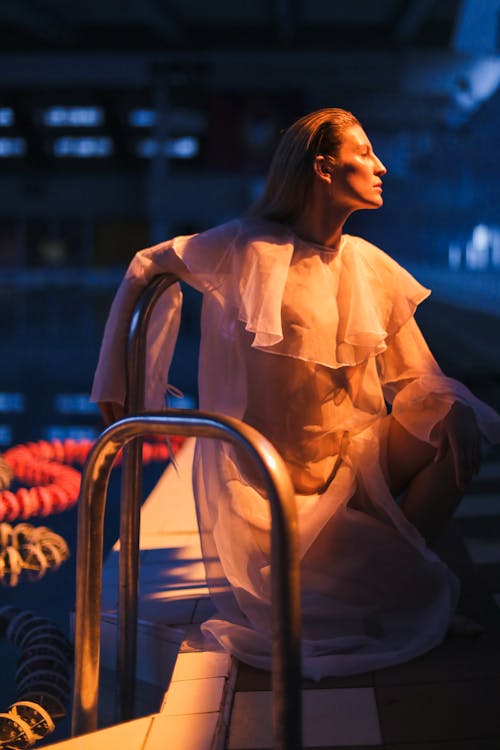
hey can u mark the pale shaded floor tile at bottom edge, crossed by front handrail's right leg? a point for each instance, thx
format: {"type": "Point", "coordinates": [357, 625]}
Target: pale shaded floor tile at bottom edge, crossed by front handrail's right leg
{"type": "Point", "coordinates": [340, 716]}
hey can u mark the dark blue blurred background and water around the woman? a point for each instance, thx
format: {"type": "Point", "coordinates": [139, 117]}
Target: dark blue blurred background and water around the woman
{"type": "Point", "coordinates": [216, 83]}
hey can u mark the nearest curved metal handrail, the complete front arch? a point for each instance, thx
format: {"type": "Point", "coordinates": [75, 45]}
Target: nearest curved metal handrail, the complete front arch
{"type": "Point", "coordinates": [284, 561]}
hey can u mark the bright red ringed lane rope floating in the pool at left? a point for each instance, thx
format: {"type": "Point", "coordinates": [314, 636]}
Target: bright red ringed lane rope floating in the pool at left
{"type": "Point", "coordinates": [54, 483]}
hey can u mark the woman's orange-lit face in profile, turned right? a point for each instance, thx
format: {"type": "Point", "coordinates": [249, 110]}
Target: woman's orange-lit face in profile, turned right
{"type": "Point", "coordinates": [357, 174]}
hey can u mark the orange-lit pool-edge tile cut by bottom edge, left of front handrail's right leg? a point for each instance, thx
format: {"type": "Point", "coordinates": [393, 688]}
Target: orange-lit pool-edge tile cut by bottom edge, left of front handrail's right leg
{"type": "Point", "coordinates": [193, 732]}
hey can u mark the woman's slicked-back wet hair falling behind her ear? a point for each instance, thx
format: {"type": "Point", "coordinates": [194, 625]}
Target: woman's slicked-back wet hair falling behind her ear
{"type": "Point", "coordinates": [290, 175]}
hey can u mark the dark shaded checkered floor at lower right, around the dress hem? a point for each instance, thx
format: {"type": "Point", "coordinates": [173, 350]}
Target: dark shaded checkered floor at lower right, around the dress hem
{"type": "Point", "coordinates": [448, 699]}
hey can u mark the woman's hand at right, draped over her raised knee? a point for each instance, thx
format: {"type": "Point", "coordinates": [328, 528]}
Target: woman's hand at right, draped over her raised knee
{"type": "Point", "coordinates": [460, 434]}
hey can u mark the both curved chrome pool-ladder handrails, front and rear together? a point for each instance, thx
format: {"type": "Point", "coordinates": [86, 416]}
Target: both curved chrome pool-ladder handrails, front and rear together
{"type": "Point", "coordinates": [285, 586]}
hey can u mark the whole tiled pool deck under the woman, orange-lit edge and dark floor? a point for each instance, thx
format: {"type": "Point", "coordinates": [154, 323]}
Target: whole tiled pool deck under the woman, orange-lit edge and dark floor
{"type": "Point", "coordinates": [448, 699]}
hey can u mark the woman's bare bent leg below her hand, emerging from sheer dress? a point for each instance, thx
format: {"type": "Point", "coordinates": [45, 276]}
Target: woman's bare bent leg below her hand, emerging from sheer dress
{"type": "Point", "coordinates": [431, 491]}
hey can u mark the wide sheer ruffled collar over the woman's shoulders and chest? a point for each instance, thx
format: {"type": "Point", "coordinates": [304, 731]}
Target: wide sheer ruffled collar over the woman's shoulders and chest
{"type": "Point", "coordinates": [304, 300]}
